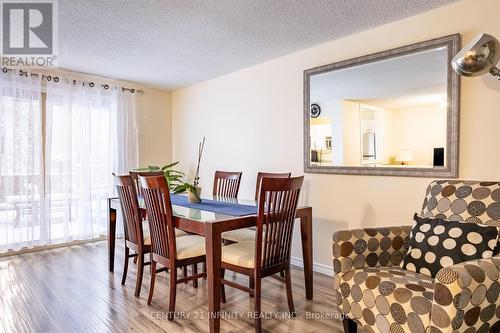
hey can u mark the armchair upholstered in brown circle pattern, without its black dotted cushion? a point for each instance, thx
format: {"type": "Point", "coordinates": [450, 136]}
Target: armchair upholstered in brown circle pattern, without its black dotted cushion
{"type": "Point", "coordinates": [372, 290]}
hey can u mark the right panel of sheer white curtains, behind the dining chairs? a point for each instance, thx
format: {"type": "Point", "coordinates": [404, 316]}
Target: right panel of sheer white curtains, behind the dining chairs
{"type": "Point", "coordinates": [91, 132]}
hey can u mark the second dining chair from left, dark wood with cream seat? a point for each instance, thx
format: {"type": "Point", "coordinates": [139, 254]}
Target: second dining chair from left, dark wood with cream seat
{"type": "Point", "coordinates": [169, 251]}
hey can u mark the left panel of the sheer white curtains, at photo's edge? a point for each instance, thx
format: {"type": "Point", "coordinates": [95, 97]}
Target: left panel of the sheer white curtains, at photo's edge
{"type": "Point", "coordinates": [21, 168]}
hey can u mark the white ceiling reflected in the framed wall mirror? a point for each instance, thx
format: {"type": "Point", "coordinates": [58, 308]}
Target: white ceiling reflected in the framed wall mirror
{"type": "Point", "coordinates": [415, 78]}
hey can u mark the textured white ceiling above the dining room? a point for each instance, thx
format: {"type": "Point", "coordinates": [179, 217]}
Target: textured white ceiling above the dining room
{"type": "Point", "coordinates": [175, 43]}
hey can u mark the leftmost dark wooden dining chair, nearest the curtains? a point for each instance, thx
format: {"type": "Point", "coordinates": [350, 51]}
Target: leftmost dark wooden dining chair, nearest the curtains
{"type": "Point", "coordinates": [135, 239]}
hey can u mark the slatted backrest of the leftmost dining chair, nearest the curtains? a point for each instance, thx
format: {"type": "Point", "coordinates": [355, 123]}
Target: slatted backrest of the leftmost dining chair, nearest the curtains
{"type": "Point", "coordinates": [132, 222]}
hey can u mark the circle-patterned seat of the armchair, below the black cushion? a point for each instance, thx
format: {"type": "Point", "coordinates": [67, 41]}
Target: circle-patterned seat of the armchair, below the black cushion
{"type": "Point", "coordinates": [390, 298]}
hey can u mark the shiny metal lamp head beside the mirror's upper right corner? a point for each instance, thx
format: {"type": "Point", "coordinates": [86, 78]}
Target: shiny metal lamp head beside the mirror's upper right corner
{"type": "Point", "coordinates": [478, 57]}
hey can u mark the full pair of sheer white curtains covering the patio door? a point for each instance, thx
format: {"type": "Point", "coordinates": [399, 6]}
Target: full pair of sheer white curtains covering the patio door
{"type": "Point", "coordinates": [58, 149]}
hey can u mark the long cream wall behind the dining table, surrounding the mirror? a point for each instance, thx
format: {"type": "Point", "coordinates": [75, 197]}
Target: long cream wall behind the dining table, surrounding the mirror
{"type": "Point", "coordinates": [252, 119]}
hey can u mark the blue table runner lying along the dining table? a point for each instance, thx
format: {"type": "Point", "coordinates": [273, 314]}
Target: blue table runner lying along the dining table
{"type": "Point", "coordinates": [226, 208]}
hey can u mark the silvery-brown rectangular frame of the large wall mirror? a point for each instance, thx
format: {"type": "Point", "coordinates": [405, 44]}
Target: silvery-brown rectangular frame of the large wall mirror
{"type": "Point", "coordinates": [450, 170]}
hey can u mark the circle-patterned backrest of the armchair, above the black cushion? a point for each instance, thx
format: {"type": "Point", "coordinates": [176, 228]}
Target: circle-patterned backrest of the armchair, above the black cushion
{"type": "Point", "coordinates": [460, 200]}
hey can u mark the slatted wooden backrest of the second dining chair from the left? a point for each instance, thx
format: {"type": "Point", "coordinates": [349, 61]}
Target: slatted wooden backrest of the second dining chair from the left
{"type": "Point", "coordinates": [160, 218]}
